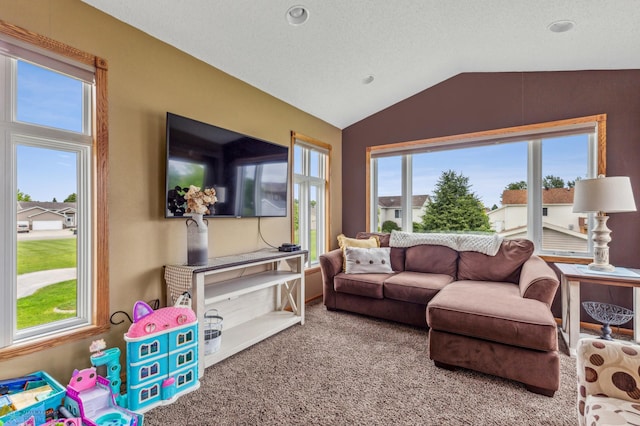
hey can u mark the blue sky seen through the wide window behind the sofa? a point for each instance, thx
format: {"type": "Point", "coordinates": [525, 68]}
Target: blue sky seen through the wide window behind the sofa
{"type": "Point", "coordinates": [489, 169]}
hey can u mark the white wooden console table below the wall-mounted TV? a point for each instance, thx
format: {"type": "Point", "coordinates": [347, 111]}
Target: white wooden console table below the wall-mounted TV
{"type": "Point", "coordinates": [253, 293]}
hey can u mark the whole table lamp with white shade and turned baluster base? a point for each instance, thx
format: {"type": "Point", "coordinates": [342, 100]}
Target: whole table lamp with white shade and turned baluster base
{"type": "Point", "coordinates": [603, 195]}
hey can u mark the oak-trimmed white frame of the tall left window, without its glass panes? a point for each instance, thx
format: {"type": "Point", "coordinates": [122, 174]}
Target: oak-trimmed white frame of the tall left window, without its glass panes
{"type": "Point", "coordinates": [91, 148]}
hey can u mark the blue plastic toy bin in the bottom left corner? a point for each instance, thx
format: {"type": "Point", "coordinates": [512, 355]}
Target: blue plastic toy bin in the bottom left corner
{"type": "Point", "coordinates": [42, 411]}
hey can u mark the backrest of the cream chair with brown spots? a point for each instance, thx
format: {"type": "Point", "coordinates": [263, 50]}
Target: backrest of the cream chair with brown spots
{"type": "Point", "coordinates": [607, 368]}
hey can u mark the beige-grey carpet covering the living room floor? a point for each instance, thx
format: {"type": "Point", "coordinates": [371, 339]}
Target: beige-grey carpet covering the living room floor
{"type": "Point", "coordinates": [341, 368]}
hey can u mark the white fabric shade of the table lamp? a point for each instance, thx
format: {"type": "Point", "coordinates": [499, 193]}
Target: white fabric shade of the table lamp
{"type": "Point", "coordinates": [604, 194]}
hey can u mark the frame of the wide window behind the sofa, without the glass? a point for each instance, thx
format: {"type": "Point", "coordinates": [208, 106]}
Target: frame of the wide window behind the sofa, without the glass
{"type": "Point", "coordinates": [595, 126]}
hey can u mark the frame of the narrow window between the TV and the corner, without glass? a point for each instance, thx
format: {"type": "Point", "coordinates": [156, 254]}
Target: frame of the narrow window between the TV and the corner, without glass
{"type": "Point", "coordinates": [305, 182]}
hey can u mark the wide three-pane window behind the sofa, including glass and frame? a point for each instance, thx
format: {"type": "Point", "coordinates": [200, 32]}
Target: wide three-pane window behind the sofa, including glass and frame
{"type": "Point", "coordinates": [517, 182]}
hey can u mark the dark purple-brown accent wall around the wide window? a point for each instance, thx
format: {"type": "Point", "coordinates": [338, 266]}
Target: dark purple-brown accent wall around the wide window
{"type": "Point", "coordinates": [476, 102]}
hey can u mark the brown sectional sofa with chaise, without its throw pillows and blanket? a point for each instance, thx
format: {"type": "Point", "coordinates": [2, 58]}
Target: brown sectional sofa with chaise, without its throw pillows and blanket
{"type": "Point", "coordinates": [486, 313]}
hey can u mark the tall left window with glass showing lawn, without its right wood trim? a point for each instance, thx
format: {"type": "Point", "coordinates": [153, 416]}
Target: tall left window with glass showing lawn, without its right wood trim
{"type": "Point", "coordinates": [47, 148]}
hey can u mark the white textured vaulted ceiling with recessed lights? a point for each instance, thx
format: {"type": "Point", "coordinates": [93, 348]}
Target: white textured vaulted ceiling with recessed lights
{"type": "Point", "coordinates": [353, 58]}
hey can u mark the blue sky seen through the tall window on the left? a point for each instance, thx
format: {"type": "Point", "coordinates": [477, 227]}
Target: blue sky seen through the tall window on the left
{"type": "Point", "coordinates": [54, 100]}
